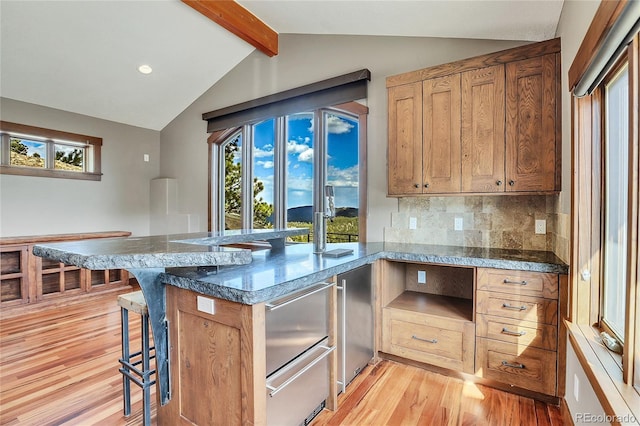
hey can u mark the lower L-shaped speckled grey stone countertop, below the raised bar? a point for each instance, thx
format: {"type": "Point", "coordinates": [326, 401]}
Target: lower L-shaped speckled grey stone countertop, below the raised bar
{"type": "Point", "coordinates": [275, 274]}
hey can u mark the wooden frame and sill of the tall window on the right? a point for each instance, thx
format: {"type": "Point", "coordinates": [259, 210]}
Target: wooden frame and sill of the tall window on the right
{"type": "Point", "coordinates": [614, 378]}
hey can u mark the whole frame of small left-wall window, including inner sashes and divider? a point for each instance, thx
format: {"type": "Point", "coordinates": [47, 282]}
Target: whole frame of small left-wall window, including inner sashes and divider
{"type": "Point", "coordinates": [50, 138]}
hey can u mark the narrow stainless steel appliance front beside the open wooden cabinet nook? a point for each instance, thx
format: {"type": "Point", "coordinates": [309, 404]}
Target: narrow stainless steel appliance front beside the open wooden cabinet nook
{"type": "Point", "coordinates": [355, 324]}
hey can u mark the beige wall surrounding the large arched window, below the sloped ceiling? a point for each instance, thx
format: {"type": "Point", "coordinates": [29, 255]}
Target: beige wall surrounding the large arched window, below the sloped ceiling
{"type": "Point", "coordinates": [305, 59]}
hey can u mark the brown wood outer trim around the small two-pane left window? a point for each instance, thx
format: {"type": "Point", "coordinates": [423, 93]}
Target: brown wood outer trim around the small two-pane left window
{"type": "Point", "coordinates": [95, 142]}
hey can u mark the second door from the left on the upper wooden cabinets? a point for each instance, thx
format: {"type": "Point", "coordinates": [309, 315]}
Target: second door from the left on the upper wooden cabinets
{"type": "Point", "coordinates": [441, 134]}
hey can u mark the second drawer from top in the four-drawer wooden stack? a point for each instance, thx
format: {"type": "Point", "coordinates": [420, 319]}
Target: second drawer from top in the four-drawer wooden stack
{"type": "Point", "coordinates": [532, 309]}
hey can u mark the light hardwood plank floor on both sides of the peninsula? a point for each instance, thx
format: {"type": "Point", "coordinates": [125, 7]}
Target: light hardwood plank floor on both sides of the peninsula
{"type": "Point", "coordinates": [60, 367]}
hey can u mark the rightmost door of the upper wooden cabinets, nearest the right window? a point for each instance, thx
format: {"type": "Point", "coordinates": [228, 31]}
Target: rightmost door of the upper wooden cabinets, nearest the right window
{"type": "Point", "coordinates": [531, 124]}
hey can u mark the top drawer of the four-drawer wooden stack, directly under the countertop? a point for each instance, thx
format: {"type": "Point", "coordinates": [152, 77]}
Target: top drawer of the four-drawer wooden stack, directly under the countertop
{"type": "Point", "coordinates": [537, 284]}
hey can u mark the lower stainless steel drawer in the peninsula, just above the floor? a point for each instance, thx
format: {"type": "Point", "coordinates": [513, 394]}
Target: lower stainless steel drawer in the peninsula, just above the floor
{"type": "Point", "coordinates": [296, 390]}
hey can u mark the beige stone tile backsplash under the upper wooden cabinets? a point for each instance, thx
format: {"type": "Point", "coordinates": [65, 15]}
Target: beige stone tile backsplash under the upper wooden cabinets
{"type": "Point", "coordinates": [499, 221]}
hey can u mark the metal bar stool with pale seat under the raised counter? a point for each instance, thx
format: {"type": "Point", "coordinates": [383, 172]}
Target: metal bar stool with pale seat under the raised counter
{"type": "Point", "coordinates": [135, 302]}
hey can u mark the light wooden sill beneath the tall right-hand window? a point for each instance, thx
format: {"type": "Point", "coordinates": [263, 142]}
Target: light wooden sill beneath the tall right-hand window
{"type": "Point", "coordinates": [602, 367]}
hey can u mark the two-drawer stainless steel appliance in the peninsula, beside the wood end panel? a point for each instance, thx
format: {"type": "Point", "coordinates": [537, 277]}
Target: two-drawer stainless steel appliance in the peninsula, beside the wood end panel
{"type": "Point", "coordinates": [297, 327]}
